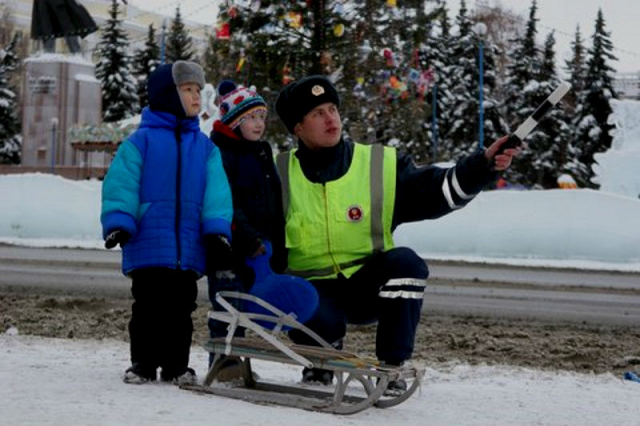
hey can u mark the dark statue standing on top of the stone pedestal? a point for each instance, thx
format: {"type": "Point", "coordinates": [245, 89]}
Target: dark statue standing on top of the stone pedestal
{"type": "Point", "coordinates": [52, 19]}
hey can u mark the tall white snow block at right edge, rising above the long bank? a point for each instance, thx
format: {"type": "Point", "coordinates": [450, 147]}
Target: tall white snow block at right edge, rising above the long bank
{"type": "Point", "coordinates": [618, 169]}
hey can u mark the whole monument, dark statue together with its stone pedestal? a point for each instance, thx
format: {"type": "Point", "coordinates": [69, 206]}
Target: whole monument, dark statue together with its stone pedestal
{"type": "Point", "coordinates": [60, 90]}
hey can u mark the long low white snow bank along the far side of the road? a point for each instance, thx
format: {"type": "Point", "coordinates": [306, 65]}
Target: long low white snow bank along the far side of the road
{"type": "Point", "coordinates": [574, 228]}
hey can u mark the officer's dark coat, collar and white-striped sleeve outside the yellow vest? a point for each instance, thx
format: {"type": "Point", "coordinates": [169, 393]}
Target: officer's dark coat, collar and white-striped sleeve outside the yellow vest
{"type": "Point", "coordinates": [421, 192]}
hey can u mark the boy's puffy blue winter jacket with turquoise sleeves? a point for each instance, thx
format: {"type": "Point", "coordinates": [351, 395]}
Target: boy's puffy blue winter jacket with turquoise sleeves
{"type": "Point", "coordinates": [168, 192]}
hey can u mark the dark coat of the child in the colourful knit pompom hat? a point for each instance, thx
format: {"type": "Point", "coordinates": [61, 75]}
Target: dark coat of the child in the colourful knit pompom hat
{"type": "Point", "coordinates": [257, 195]}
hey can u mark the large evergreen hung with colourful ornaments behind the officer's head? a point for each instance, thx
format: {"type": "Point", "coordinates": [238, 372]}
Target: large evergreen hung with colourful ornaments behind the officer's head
{"type": "Point", "coordinates": [271, 43]}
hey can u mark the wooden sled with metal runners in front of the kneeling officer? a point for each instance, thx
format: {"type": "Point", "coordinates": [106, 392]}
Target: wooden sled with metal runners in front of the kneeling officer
{"type": "Point", "coordinates": [360, 383]}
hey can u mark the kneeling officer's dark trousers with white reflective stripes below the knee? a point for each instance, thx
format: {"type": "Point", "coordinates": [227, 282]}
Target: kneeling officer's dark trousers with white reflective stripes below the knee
{"type": "Point", "coordinates": [389, 289]}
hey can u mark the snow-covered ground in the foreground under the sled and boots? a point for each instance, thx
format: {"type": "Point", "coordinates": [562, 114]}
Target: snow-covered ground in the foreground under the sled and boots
{"type": "Point", "coordinates": [69, 382]}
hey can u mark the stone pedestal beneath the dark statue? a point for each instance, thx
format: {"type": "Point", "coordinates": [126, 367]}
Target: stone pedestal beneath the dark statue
{"type": "Point", "coordinates": [59, 92]}
